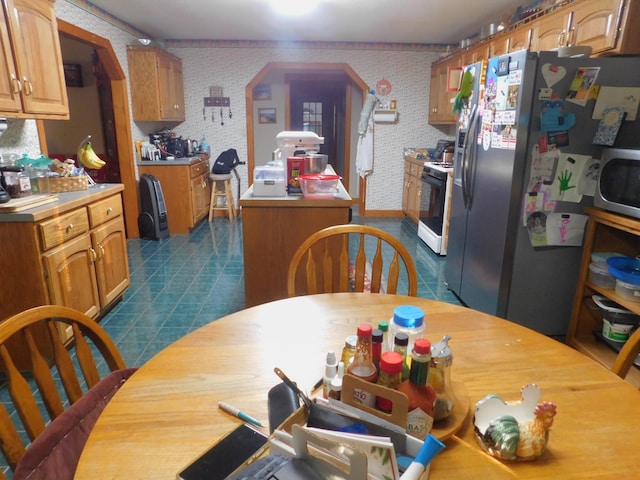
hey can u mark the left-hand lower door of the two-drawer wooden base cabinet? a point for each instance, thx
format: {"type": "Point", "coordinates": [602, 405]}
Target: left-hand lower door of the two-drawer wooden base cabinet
{"type": "Point", "coordinates": [71, 275]}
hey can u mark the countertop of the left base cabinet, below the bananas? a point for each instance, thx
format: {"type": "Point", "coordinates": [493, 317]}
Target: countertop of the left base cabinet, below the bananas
{"type": "Point", "coordinates": [66, 201]}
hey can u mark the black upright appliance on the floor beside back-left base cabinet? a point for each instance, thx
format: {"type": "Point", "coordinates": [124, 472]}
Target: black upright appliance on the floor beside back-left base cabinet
{"type": "Point", "coordinates": [152, 221]}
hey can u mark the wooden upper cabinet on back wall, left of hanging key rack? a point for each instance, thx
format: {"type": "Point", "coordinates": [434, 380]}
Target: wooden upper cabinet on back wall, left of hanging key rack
{"type": "Point", "coordinates": [157, 84]}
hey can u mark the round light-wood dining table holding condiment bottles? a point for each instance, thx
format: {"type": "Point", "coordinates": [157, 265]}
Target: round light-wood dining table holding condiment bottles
{"type": "Point", "coordinates": [167, 413]}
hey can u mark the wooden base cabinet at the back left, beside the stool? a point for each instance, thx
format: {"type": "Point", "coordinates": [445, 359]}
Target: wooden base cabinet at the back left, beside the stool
{"type": "Point", "coordinates": [186, 189]}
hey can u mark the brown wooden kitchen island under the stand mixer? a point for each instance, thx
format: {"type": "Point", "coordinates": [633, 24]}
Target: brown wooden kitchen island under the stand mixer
{"type": "Point", "coordinates": [273, 228]}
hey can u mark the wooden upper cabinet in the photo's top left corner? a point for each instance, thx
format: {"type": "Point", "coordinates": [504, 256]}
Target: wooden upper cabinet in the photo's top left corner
{"type": "Point", "coordinates": [32, 81]}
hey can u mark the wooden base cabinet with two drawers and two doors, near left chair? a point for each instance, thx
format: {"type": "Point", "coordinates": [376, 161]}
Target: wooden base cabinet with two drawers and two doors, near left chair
{"type": "Point", "coordinates": [71, 251]}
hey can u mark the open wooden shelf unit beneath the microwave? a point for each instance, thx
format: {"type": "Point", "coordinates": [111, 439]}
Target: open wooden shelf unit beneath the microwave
{"type": "Point", "coordinates": [606, 232]}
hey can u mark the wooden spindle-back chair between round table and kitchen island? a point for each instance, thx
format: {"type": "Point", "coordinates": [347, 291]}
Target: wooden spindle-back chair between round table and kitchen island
{"type": "Point", "coordinates": [328, 268]}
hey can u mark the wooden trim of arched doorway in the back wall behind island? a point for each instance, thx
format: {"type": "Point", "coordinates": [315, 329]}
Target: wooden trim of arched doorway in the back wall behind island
{"type": "Point", "coordinates": [355, 86]}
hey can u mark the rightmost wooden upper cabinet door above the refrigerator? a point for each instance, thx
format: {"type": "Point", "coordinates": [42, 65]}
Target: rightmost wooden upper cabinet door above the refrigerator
{"type": "Point", "coordinates": [595, 24]}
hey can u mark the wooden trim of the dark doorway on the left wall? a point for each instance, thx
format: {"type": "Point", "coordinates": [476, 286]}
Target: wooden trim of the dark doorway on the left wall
{"type": "Point", "coordinates": [122, 121]}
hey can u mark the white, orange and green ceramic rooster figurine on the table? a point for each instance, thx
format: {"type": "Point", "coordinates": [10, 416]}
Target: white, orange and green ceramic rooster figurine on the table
{"type": "Point", "coordinates": [514, 430]}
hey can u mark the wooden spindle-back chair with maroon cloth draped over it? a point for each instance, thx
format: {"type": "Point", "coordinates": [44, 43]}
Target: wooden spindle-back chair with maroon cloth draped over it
{"type": "Point", "coordinates": [57, 437]}
